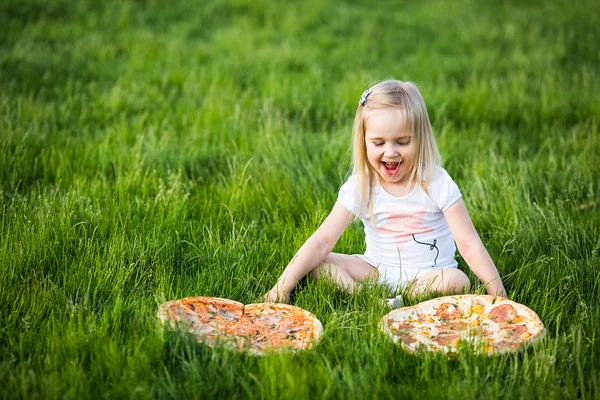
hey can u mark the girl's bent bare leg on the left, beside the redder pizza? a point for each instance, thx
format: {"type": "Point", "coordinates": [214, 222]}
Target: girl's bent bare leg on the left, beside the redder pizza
{"type": "Point", "coordinates": [344, 270]}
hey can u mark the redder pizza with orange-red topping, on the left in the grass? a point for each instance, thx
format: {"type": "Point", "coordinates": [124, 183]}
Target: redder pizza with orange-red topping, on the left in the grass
{"type": "Point", "coordinates": [256, 328]}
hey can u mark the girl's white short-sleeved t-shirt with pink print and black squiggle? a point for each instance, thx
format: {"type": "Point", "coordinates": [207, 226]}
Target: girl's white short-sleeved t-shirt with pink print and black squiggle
{"type": "Point", "coordinates": [411, 235]}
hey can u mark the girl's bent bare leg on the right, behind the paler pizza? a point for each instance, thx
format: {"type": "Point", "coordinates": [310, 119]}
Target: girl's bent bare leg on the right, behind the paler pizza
{"type": "Point", "coordinates": [445, 281]}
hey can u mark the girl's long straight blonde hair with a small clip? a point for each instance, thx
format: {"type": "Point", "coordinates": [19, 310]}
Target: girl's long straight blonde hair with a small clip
{"type": "Point", "coordinates": [406, 98]}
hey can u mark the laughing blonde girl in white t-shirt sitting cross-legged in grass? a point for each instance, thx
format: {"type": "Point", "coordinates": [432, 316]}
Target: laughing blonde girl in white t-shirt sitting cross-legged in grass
{"type": "Point", "coordinates": [411, 209]}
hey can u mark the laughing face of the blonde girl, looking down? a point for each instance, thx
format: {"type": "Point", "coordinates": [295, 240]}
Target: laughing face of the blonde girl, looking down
{"type": "Point", "coordinates": [390, 145]}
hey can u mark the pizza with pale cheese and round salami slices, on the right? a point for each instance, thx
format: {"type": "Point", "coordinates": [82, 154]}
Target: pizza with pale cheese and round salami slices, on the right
{"type": "Point", "coordinates": [487, 324]}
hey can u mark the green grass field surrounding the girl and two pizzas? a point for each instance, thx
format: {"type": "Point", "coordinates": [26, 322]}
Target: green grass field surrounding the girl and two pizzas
{"type": "Point", "coordinates": [151, 152]}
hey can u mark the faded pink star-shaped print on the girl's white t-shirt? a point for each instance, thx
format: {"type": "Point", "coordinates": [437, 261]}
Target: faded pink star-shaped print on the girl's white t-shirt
{"type": "Point", "coordinates": [402, 225]}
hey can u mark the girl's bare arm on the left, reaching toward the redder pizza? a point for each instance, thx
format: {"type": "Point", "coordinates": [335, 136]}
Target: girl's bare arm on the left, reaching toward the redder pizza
{"type": "Point", "coordinates": [312, 253]}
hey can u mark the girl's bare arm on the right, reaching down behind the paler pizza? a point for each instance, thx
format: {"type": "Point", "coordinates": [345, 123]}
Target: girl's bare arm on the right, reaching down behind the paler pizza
{"type": "Point", "coordinates": [472, 250]}
